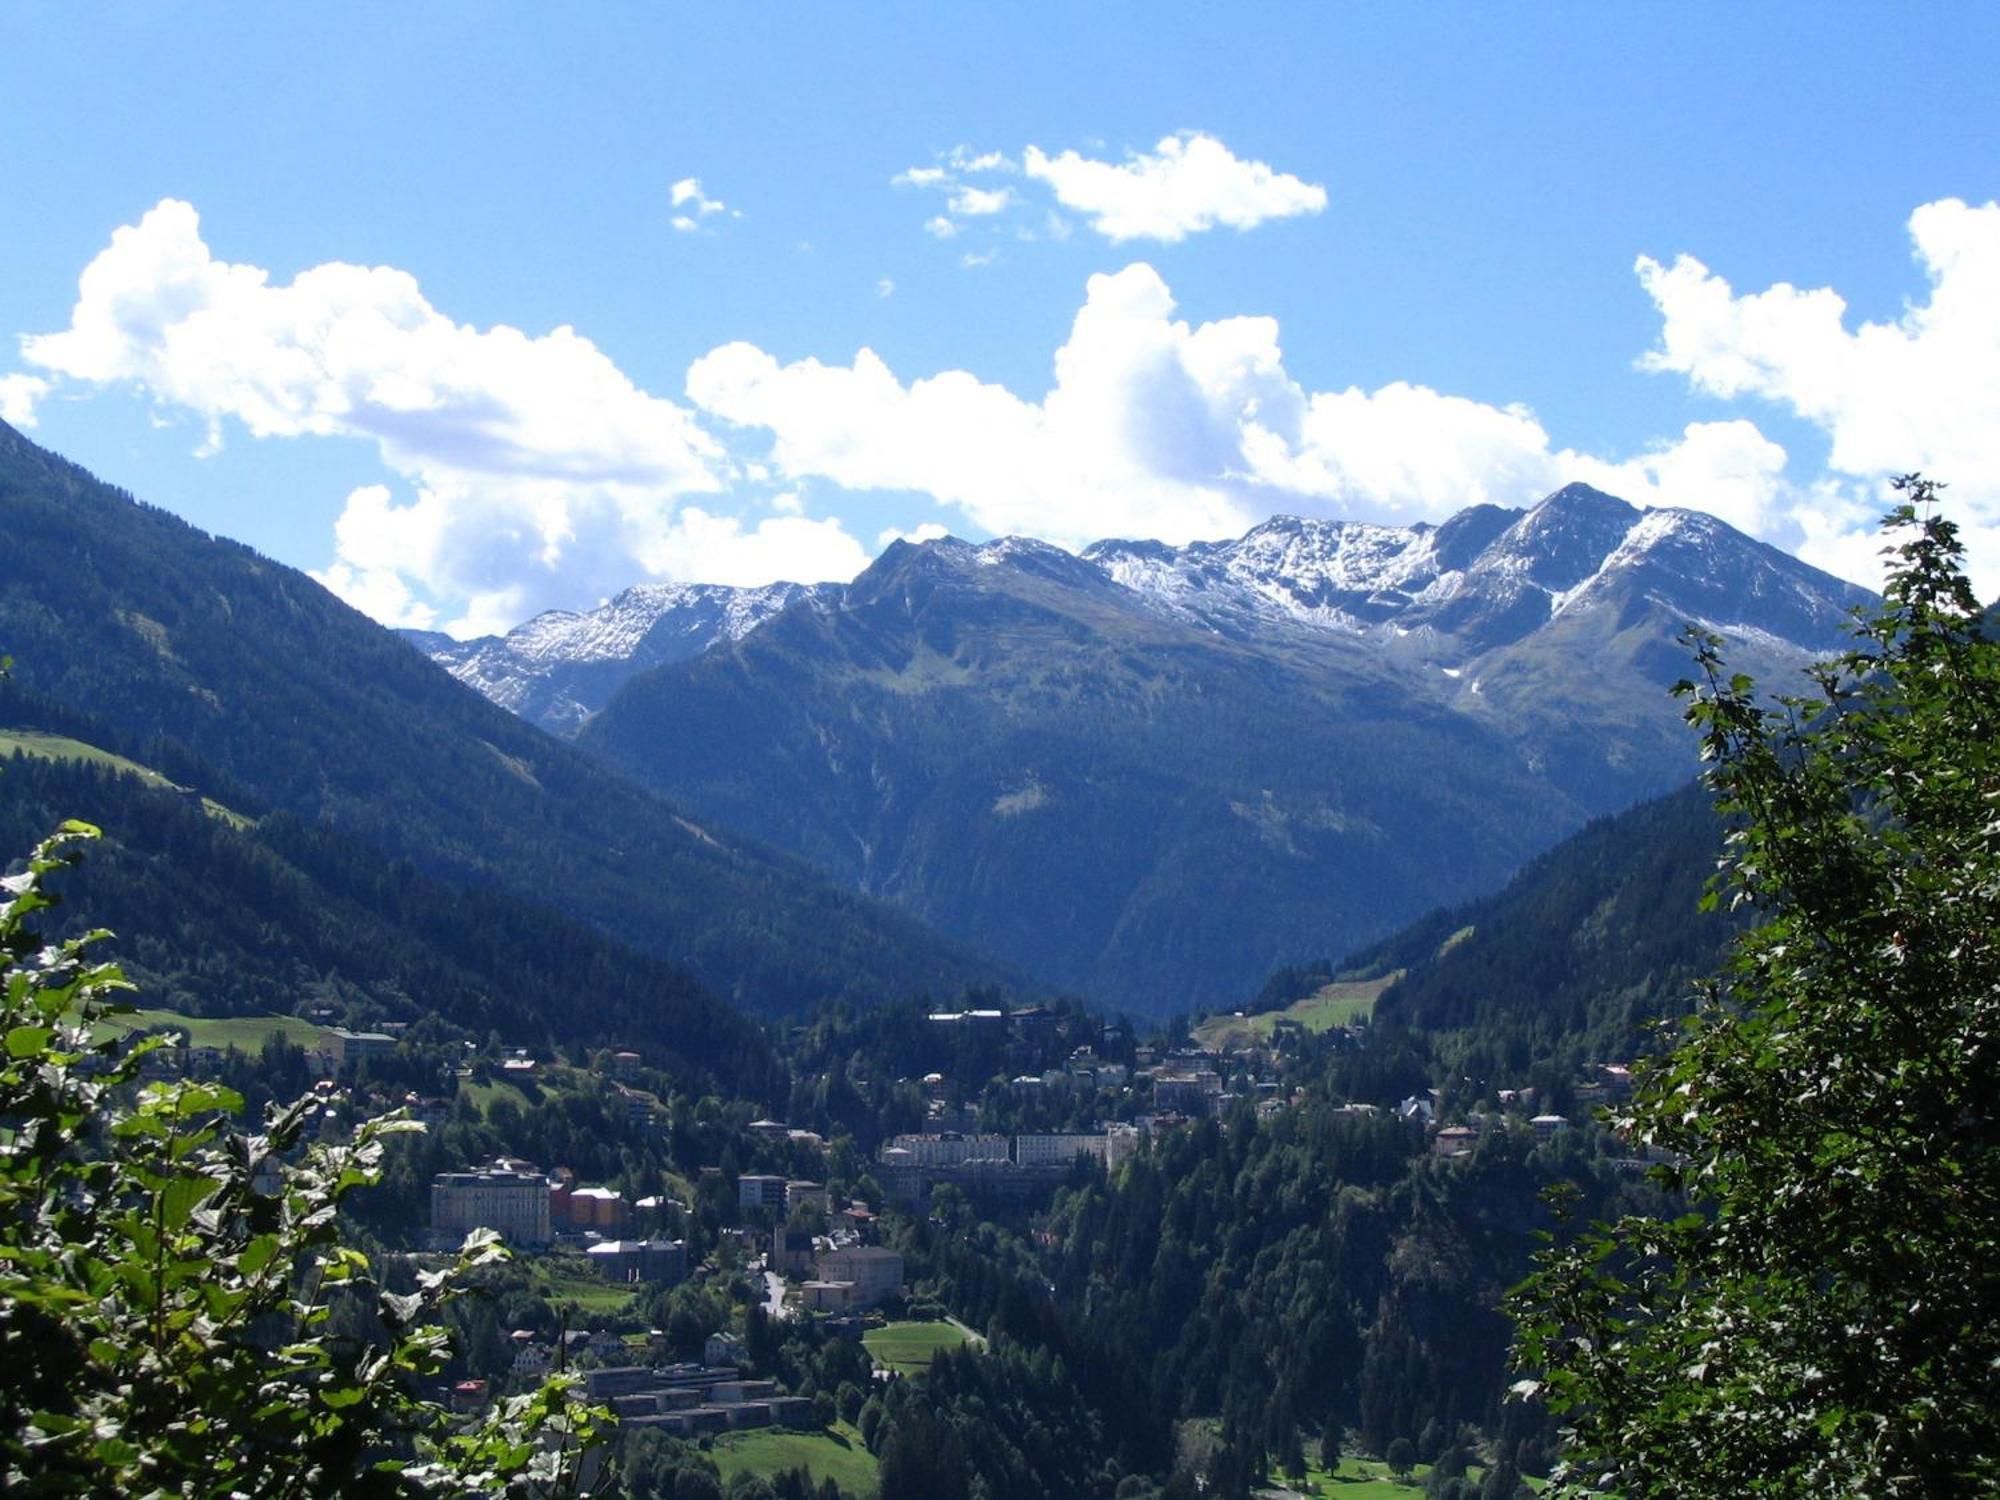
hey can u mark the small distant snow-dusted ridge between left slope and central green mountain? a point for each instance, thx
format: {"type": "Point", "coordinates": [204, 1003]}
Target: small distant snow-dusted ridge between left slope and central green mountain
{"type": "Point", "coordinates": [559, 669]}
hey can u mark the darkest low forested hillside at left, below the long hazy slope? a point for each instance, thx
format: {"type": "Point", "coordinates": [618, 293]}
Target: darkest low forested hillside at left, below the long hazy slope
{"type": "Point", "coordinates": [277, 917]}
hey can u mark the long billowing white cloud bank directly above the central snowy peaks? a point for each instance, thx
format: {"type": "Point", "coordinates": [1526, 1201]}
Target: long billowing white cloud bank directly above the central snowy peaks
{"type": "Point", "coordinates": [1173, 431]}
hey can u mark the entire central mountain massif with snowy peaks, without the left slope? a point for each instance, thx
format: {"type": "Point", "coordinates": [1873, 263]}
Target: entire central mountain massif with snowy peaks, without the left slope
{"type": "Point", "coordinates": [1155, 773]}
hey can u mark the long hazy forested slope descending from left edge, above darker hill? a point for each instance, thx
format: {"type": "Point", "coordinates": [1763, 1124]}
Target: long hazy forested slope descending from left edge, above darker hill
{"type": "Point", "coordinates": [209, 655]}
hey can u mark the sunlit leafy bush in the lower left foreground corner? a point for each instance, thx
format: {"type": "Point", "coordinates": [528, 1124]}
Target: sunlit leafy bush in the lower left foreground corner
{"type": "Point", "coordinates": [167, 1329]}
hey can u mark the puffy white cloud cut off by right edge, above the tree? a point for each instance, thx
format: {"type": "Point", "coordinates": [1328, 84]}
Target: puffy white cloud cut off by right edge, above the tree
{"type": "Point", "coordinates": [1917, 393]}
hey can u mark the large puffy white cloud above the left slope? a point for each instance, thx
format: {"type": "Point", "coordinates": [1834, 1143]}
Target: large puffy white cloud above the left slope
{"type": "Point", "coordinates": [539, 471]}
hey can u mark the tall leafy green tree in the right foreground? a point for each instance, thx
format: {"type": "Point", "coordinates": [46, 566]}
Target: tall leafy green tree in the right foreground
{"type": "Point", "coordinates": [1829, 1321]}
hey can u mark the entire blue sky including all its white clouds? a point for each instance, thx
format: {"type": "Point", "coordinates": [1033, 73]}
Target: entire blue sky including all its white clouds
{"type": "Point", "coordinates": [1119, 271]}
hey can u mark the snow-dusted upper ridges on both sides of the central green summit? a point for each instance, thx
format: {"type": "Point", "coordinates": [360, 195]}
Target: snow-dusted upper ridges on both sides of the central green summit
{"type": "Point", "coordinates": [1443, 595]}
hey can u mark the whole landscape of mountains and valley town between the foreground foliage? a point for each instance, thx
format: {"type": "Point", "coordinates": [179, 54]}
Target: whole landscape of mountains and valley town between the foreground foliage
{"type": "Point", "coordinates": [1325, 939]}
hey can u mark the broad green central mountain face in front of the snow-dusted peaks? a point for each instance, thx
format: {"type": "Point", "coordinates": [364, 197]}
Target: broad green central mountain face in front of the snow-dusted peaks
{"type": "Point", "coordinates": [1023, 753]}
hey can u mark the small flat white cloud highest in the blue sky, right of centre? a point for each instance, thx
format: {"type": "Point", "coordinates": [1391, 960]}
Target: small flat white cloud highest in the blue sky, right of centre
{"type": "Point", "coordinates": [1187, 185]}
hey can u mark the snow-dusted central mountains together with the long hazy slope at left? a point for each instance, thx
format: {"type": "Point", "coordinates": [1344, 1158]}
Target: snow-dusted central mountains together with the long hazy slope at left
{"type": "Point", "coordinates": [1143, 773]}
